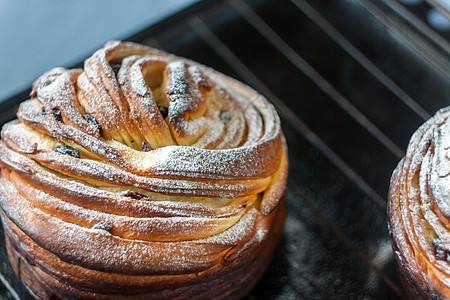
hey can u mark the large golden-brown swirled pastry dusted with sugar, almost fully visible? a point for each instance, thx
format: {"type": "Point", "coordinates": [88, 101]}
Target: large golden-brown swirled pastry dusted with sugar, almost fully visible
{"type": "Point", "coordinates": [143, 176]}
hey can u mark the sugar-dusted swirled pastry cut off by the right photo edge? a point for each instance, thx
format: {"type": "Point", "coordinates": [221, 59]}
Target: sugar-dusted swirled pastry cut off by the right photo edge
{"type": "Point", "coordinates": [419, 211]}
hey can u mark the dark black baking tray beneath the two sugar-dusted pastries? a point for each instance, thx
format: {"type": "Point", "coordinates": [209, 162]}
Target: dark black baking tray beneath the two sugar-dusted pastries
{"type": "Point", "coordinates": [351, 81]}
